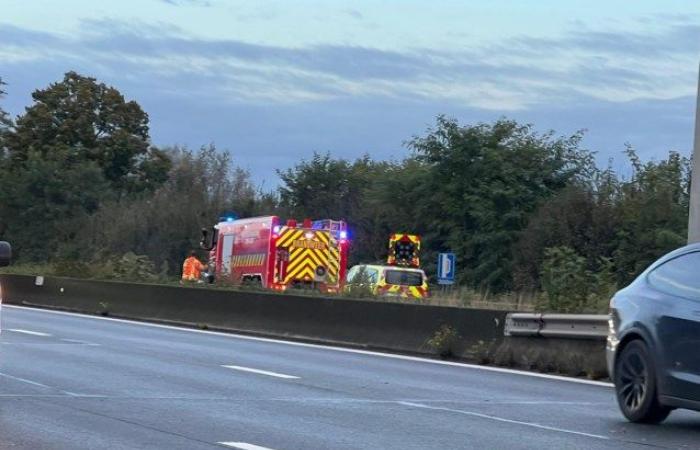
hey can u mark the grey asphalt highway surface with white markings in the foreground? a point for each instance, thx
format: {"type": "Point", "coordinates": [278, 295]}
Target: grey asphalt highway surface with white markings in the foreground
{"type": "Point", "coordinates": [76, 382]}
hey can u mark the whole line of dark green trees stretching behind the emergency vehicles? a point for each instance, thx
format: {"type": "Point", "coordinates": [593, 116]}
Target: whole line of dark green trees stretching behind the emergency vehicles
{"type": "Point", "coordinates": [82, 188]}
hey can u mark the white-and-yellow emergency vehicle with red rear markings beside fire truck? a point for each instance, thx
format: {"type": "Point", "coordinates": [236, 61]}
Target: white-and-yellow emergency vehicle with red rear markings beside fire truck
{"type": "Point", "coordinates": [389, 281]}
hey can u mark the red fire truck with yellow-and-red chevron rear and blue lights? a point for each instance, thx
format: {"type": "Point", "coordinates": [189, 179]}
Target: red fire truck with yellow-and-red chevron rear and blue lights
{"type": "Point", "coordinates": [265, 252]}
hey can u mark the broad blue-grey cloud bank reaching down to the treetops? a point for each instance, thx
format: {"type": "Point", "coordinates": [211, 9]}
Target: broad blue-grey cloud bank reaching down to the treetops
{"type": "Point", "coordinates": [285, 102]}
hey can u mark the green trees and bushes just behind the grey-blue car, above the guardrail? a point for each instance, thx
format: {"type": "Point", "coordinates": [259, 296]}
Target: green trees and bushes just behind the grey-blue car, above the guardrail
{"type": "Point", "coordinates": [629, 222]}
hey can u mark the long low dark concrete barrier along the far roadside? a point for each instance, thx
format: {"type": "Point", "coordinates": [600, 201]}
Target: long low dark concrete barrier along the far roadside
{"type": "Point", "coordinates": [359, 323]}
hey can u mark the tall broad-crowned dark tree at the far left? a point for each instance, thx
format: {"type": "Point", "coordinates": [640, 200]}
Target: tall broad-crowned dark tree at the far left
{"type": "Point", "coordinates": [79, 145]}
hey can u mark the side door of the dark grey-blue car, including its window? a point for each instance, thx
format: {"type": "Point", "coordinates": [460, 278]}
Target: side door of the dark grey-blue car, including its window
{"type": "Point", "coordinates": [677, 312]}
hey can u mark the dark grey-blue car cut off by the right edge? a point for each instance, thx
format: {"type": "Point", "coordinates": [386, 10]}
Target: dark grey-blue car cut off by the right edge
{"type": "Point", "coordinates": [653, 347]}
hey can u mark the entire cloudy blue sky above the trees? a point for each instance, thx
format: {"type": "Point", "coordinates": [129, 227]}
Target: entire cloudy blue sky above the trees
{"type": "Point", "coordinates": [274, 81]}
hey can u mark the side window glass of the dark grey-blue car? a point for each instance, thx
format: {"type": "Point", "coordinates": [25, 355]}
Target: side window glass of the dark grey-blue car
{"type": "Point", "coordinates": [678, 276]}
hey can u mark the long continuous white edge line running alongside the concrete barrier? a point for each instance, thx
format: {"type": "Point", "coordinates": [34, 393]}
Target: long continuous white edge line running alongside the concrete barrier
{"type": "Point", "coordinates": [328, 347]}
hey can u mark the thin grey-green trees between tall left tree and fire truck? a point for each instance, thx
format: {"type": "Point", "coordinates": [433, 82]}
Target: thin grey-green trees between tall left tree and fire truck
{"type": "Point", "coordinates": [165, 225]}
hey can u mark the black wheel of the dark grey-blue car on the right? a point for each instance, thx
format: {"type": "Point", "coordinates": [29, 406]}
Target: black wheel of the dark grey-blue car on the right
{"type": "Point", "coordinates": [635, 385]}
